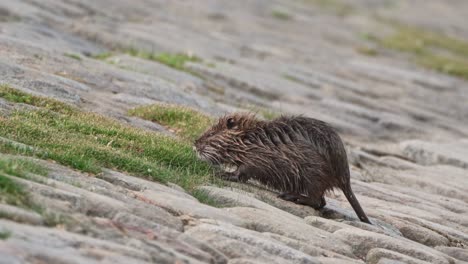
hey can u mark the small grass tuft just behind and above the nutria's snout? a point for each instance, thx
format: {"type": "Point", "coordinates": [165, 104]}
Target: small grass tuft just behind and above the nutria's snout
{"type": "Point", "coordinates": [184, 121]}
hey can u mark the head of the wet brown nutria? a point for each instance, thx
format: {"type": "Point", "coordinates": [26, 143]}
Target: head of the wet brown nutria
{"type": "Point", "coordinates": [224, 142]}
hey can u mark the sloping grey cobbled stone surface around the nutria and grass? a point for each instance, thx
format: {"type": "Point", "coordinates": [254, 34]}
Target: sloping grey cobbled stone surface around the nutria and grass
{"type": "Point", "coordinates": [405, 129]}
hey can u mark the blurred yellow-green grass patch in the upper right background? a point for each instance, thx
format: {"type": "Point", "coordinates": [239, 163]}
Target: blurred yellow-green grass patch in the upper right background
{"type": "Point", "coordinates": [432, 50]}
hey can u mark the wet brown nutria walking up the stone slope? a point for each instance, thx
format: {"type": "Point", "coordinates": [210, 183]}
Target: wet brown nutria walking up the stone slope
{"type": "Point", "coordinates": [299, 156]}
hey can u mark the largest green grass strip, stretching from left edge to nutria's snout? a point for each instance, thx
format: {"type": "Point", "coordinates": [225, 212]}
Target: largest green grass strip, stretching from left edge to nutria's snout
{"type": "Point", "coordinates": [88, 142]}
